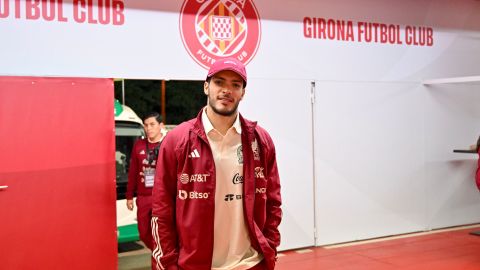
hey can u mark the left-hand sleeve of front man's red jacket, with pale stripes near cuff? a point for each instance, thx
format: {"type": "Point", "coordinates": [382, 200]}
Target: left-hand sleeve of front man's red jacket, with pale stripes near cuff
{"type": "Point", "coordinates": [165, 243]}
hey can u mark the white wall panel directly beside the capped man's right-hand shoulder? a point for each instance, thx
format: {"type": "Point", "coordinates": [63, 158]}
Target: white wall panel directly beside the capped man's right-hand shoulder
{"type": "Point", "coordinates": [283, 108]}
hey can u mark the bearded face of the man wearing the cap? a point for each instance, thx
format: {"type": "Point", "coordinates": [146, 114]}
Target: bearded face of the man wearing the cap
{"type": "Point", "coordinates": [224, 92]}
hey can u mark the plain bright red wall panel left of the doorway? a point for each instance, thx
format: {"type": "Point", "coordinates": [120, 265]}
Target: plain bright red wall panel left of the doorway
{"type": "Point", "coordinates": [57, 147]}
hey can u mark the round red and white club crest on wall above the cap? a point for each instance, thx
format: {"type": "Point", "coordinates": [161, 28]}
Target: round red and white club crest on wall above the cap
{"type": "Point", "coordinates": [212, 29]}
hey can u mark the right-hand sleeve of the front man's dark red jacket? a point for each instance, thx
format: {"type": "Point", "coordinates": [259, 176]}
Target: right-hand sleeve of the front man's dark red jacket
{"type": "Point", "coordinates": [274, 200]}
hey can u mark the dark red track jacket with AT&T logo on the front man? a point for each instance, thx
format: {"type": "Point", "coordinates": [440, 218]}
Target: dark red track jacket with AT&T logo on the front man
{"type": "Point", "coordinates": [184, 197]}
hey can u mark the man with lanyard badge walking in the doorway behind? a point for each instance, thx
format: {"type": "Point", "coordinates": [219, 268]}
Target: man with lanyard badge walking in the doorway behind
{"type": "Point", "coordinates": [141, 174]}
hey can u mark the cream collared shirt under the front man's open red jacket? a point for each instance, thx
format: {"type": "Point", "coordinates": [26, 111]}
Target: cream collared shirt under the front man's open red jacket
{"type": "Point", "coordinates": [232, 249]}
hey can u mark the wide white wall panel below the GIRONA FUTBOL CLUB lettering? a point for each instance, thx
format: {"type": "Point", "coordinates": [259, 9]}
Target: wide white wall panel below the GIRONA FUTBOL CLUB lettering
{"type": "Point", "coordinates": [369, 160]}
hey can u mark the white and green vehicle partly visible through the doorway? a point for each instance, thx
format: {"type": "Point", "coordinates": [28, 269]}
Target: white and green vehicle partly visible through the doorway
{"type": "Point", "coordinates": [128, 128]}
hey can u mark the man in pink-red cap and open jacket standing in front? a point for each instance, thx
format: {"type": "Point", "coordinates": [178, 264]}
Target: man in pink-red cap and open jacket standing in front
{"type": "Point", "coordinates": [216, 200]}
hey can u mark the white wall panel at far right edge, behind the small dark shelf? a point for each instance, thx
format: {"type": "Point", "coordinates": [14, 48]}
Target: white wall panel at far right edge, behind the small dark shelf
{"type": "Point", "coordinates": [453, 122]}
